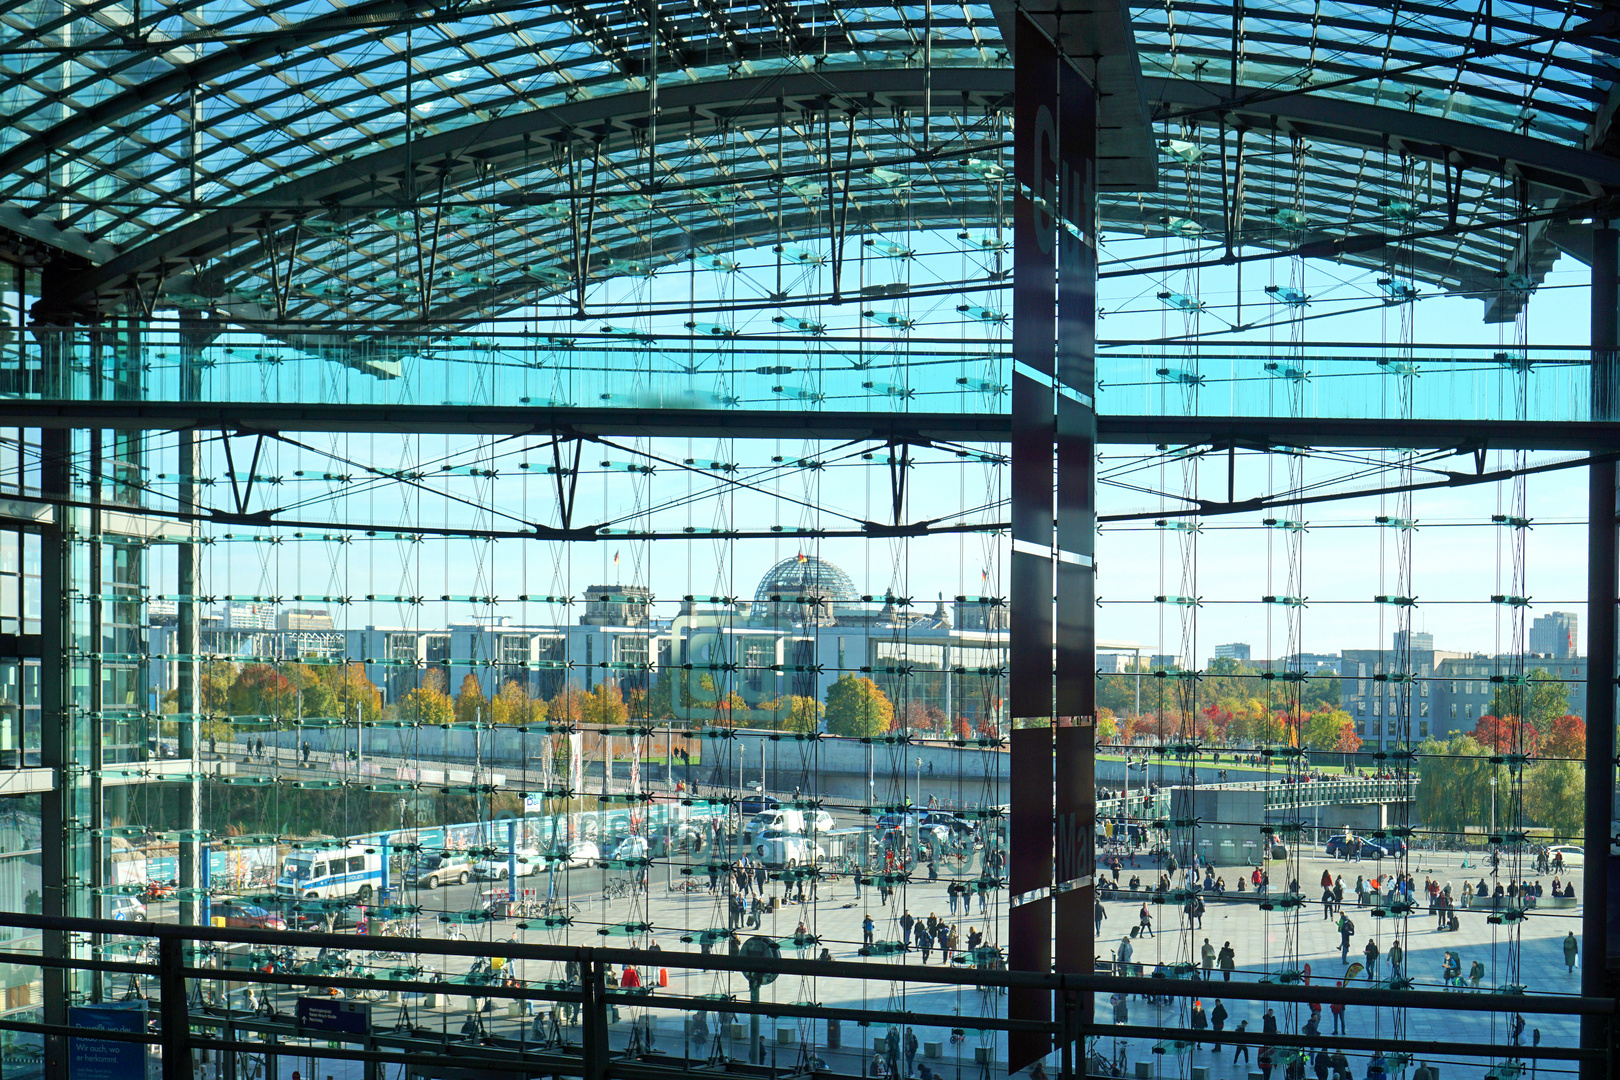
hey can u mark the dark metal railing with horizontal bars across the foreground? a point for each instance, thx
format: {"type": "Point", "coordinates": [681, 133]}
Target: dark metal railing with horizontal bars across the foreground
{"type": "Point", "coordinates": [221, 993]}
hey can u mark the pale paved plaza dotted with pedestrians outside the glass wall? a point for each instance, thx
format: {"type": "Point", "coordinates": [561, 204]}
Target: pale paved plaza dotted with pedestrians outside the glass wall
{"type": "Point", "coordinates": [1261, 942]}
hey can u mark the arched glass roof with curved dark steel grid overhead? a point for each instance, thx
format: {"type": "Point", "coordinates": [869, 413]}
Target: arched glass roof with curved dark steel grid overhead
{"type": "Point", "coordinates": [399, 161]}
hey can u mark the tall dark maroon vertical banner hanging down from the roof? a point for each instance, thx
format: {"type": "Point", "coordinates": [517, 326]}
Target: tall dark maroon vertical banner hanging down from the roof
{"type": "Point", "coordinates": [1054, 652]}
